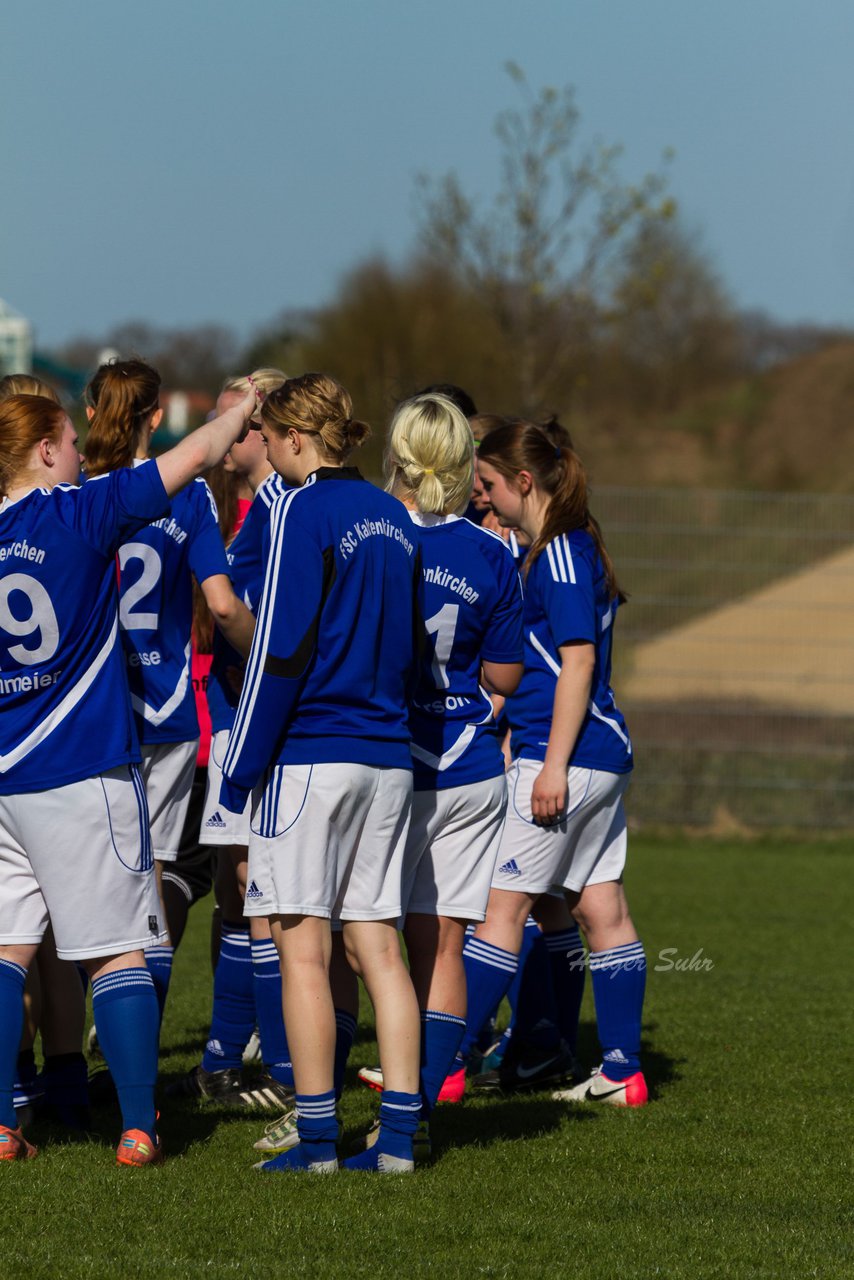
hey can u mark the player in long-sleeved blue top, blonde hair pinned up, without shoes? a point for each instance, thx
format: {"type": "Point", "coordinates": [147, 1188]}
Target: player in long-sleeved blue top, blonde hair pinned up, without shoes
{"type": "Point", "coordinates": [323, 724]}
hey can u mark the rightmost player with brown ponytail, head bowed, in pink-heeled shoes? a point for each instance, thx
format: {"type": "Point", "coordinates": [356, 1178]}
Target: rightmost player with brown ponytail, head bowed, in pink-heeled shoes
{"type": "Point", "coordinates": [572, 756]}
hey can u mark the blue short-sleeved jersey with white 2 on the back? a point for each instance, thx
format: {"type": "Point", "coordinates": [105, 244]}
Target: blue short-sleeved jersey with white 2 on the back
{"type": "Point", "coordinates": [157, 612]}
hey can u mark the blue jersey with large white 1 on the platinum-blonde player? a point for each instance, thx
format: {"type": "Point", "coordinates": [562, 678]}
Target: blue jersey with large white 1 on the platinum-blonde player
{"type": "Point", "coordinates": [473, 610]}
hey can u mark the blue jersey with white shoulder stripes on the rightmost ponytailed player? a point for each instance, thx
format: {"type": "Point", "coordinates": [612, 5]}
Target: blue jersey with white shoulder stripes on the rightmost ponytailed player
{"type": "Point", "coordinates": [567, 600]}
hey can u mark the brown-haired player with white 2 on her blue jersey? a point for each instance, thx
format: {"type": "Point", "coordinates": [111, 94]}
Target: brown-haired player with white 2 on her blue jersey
{"type": "Point", "coordinates": [156, 611]}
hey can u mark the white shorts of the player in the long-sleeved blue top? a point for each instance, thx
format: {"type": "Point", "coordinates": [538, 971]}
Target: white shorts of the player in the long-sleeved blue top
{"type": "Point", "coordinates": [328, 840]}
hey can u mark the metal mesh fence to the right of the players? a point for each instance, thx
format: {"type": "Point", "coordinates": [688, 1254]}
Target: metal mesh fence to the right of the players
{"type": "Point", "coordinates": [734, 659]}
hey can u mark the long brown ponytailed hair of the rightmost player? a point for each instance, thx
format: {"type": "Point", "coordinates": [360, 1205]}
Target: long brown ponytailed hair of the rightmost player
{"type": "Point", "coordinates": [559, 472]}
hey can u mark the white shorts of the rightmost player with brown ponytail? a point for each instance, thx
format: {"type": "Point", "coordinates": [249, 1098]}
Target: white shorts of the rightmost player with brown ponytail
{"type": "Point", "coordinates": [588, 847]}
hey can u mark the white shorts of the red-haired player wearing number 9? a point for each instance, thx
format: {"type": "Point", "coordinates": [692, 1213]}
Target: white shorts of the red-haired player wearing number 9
{"type": "Point", "coordinates": [80, 856]}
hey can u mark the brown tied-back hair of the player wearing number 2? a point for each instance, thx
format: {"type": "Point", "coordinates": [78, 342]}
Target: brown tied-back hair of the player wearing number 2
{"type": "Point", "coordinates": [124, 395]}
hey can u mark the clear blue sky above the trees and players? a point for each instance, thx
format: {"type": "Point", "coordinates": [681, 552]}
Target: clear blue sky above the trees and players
{"type": "Point", "coordinates": [204, 161]}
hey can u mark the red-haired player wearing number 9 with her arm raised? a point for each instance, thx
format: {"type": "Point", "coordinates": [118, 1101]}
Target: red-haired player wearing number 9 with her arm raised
{"type": "Point", "coordinates": [79, 851]}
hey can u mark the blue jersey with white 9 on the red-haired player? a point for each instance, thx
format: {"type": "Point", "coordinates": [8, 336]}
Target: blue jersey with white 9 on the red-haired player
{"type": "Point", "coordinates": [63, 691]}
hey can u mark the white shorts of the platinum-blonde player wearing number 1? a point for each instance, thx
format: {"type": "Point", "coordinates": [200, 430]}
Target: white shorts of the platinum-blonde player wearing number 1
{"type": "Point", "coordinates": [451, 849]}
